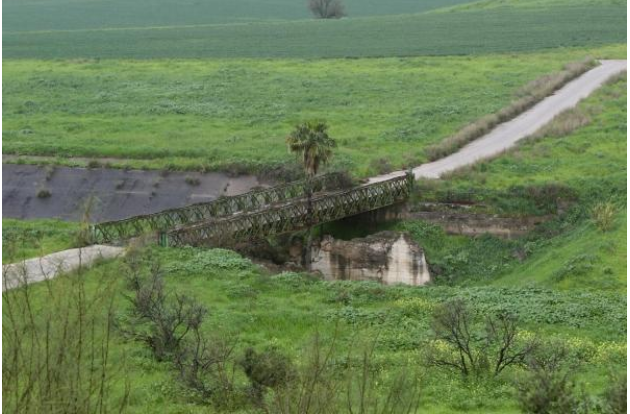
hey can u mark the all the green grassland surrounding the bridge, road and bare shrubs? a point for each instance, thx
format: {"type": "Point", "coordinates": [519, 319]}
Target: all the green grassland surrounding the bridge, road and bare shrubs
{"type": "Point", "coordinates": [217, 85]}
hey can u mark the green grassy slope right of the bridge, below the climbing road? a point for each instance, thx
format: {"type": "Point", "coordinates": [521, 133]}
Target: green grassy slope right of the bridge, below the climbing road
{"type": "Point", "coordinates": [591, 160]}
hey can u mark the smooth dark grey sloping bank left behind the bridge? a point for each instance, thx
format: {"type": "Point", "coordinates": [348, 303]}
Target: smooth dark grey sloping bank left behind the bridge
{"type": "Point", "coordinates": [30, 191]}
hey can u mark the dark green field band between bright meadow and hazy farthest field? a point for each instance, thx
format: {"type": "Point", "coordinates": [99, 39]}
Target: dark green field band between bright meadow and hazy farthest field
{"type": "Point", "coordinates": [475, 31]}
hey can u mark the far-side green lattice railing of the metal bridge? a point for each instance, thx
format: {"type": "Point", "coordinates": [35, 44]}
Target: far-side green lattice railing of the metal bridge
{"type": "Point", "coordinates": [224, 206]}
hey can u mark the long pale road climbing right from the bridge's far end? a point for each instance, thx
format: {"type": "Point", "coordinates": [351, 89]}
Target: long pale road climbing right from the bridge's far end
{"type": "Point", "coordinates": [507, 134]}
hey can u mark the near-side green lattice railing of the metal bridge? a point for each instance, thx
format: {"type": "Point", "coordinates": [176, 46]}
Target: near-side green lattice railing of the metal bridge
{"type": "Point", "coordinates": [291, 216]}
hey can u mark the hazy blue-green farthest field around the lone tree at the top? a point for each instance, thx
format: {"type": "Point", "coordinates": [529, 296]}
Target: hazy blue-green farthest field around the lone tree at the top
{"type": "Point", "coordinates": [33, 15]}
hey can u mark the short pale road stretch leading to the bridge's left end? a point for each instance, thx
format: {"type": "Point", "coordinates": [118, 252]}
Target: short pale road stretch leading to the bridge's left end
{"type": "Point", "coordinates": [47, 267]}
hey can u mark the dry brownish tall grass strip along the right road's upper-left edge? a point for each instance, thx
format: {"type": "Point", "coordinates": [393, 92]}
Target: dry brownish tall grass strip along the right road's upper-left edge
{"type": "Point", "coordinates": [530, 95]}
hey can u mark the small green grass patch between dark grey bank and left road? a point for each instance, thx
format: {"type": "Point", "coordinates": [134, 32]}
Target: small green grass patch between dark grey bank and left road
{"type": "Point", "coordinates": [25, 239]}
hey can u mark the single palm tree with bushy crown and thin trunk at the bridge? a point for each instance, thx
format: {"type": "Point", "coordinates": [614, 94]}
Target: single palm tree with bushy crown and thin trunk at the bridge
{"type": "Point", "coordinates": [311, 143]}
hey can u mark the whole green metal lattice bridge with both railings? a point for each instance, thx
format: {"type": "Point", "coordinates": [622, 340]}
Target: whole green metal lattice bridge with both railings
{"type": "Point", "coordinates": [258, 214]}
